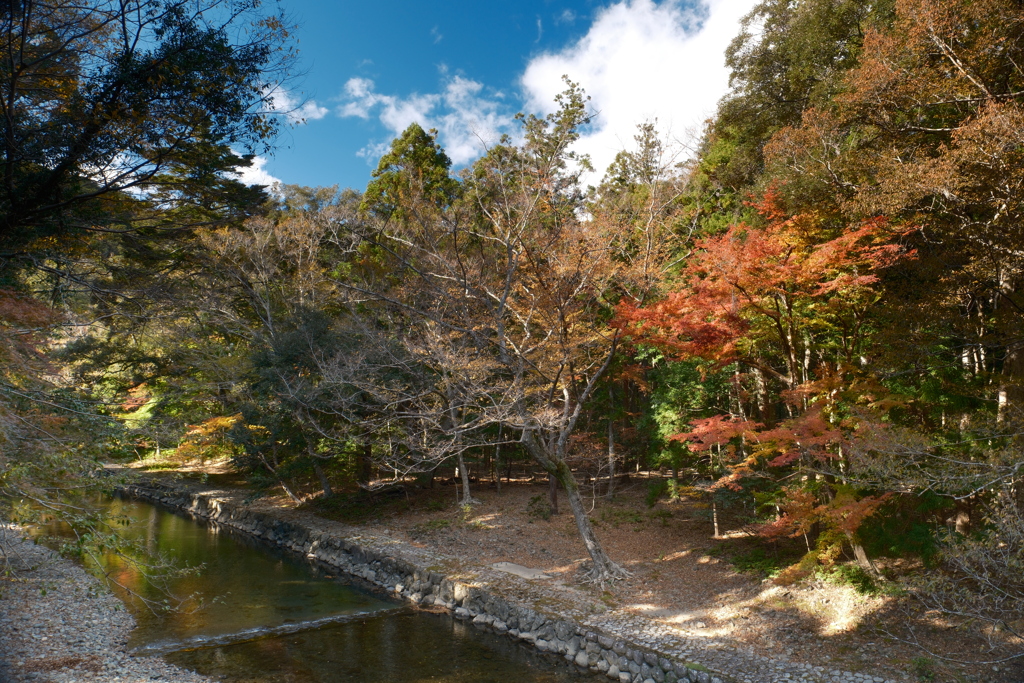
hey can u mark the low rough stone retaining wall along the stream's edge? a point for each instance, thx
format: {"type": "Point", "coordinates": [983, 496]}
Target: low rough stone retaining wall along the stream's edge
{"type": "Point", "coordinates": [589, 650]}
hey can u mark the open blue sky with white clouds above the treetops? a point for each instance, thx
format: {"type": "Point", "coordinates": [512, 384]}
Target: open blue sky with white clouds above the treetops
{"type": "Point", "coordinates": [370, 69]}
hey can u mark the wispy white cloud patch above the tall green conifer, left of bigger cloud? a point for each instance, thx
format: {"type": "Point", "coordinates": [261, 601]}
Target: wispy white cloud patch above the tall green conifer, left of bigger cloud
{"type": "Point", "coordinates": [468, 117]}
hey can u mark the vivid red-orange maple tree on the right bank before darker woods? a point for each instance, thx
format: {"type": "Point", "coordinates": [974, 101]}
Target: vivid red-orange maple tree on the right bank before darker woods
{"type": "Point", "coordinates": [784, 305]}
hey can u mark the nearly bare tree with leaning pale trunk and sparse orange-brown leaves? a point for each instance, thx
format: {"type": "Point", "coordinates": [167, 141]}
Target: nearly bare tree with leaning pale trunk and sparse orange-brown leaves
{"type": "Point", "coordinates": [513, 276]}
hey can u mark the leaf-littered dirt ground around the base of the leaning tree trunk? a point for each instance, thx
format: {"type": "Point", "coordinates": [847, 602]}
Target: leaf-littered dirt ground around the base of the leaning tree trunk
{"type": "Point", "coordinates": [685, 586]}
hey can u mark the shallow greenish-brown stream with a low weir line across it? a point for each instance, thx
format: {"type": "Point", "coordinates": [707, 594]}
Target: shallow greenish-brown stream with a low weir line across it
{"type": "Point", "coordinates": [255, 614]}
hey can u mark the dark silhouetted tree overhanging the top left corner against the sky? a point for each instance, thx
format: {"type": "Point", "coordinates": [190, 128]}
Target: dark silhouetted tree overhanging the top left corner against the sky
{"type": "Point", "coordinates": [104, 98]}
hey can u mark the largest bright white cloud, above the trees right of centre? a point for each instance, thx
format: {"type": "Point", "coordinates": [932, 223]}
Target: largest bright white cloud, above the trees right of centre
{"type": "Point", "coordinates": [642, 61]}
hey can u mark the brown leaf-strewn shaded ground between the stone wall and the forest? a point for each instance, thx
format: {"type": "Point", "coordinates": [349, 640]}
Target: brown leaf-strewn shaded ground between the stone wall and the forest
{"type": "Point", "coordinates": [685, 579]}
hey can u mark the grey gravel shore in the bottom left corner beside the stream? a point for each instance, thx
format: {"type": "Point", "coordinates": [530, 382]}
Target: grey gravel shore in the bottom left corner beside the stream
{"type": "Point", "coordinates": [61, 625]}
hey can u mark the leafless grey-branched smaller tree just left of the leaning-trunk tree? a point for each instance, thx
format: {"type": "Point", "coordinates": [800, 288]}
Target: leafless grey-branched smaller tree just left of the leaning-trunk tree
{"type": "Point", "coordinates": [424, 395]}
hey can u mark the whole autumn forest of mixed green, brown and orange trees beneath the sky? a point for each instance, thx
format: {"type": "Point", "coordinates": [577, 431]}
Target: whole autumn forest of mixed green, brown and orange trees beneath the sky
{"type": "Point", "coordinates": [814, 322]}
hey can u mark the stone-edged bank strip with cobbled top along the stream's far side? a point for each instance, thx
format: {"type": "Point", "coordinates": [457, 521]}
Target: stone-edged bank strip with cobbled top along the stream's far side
{"type": "Point", "coordinates": [558, 617]}
